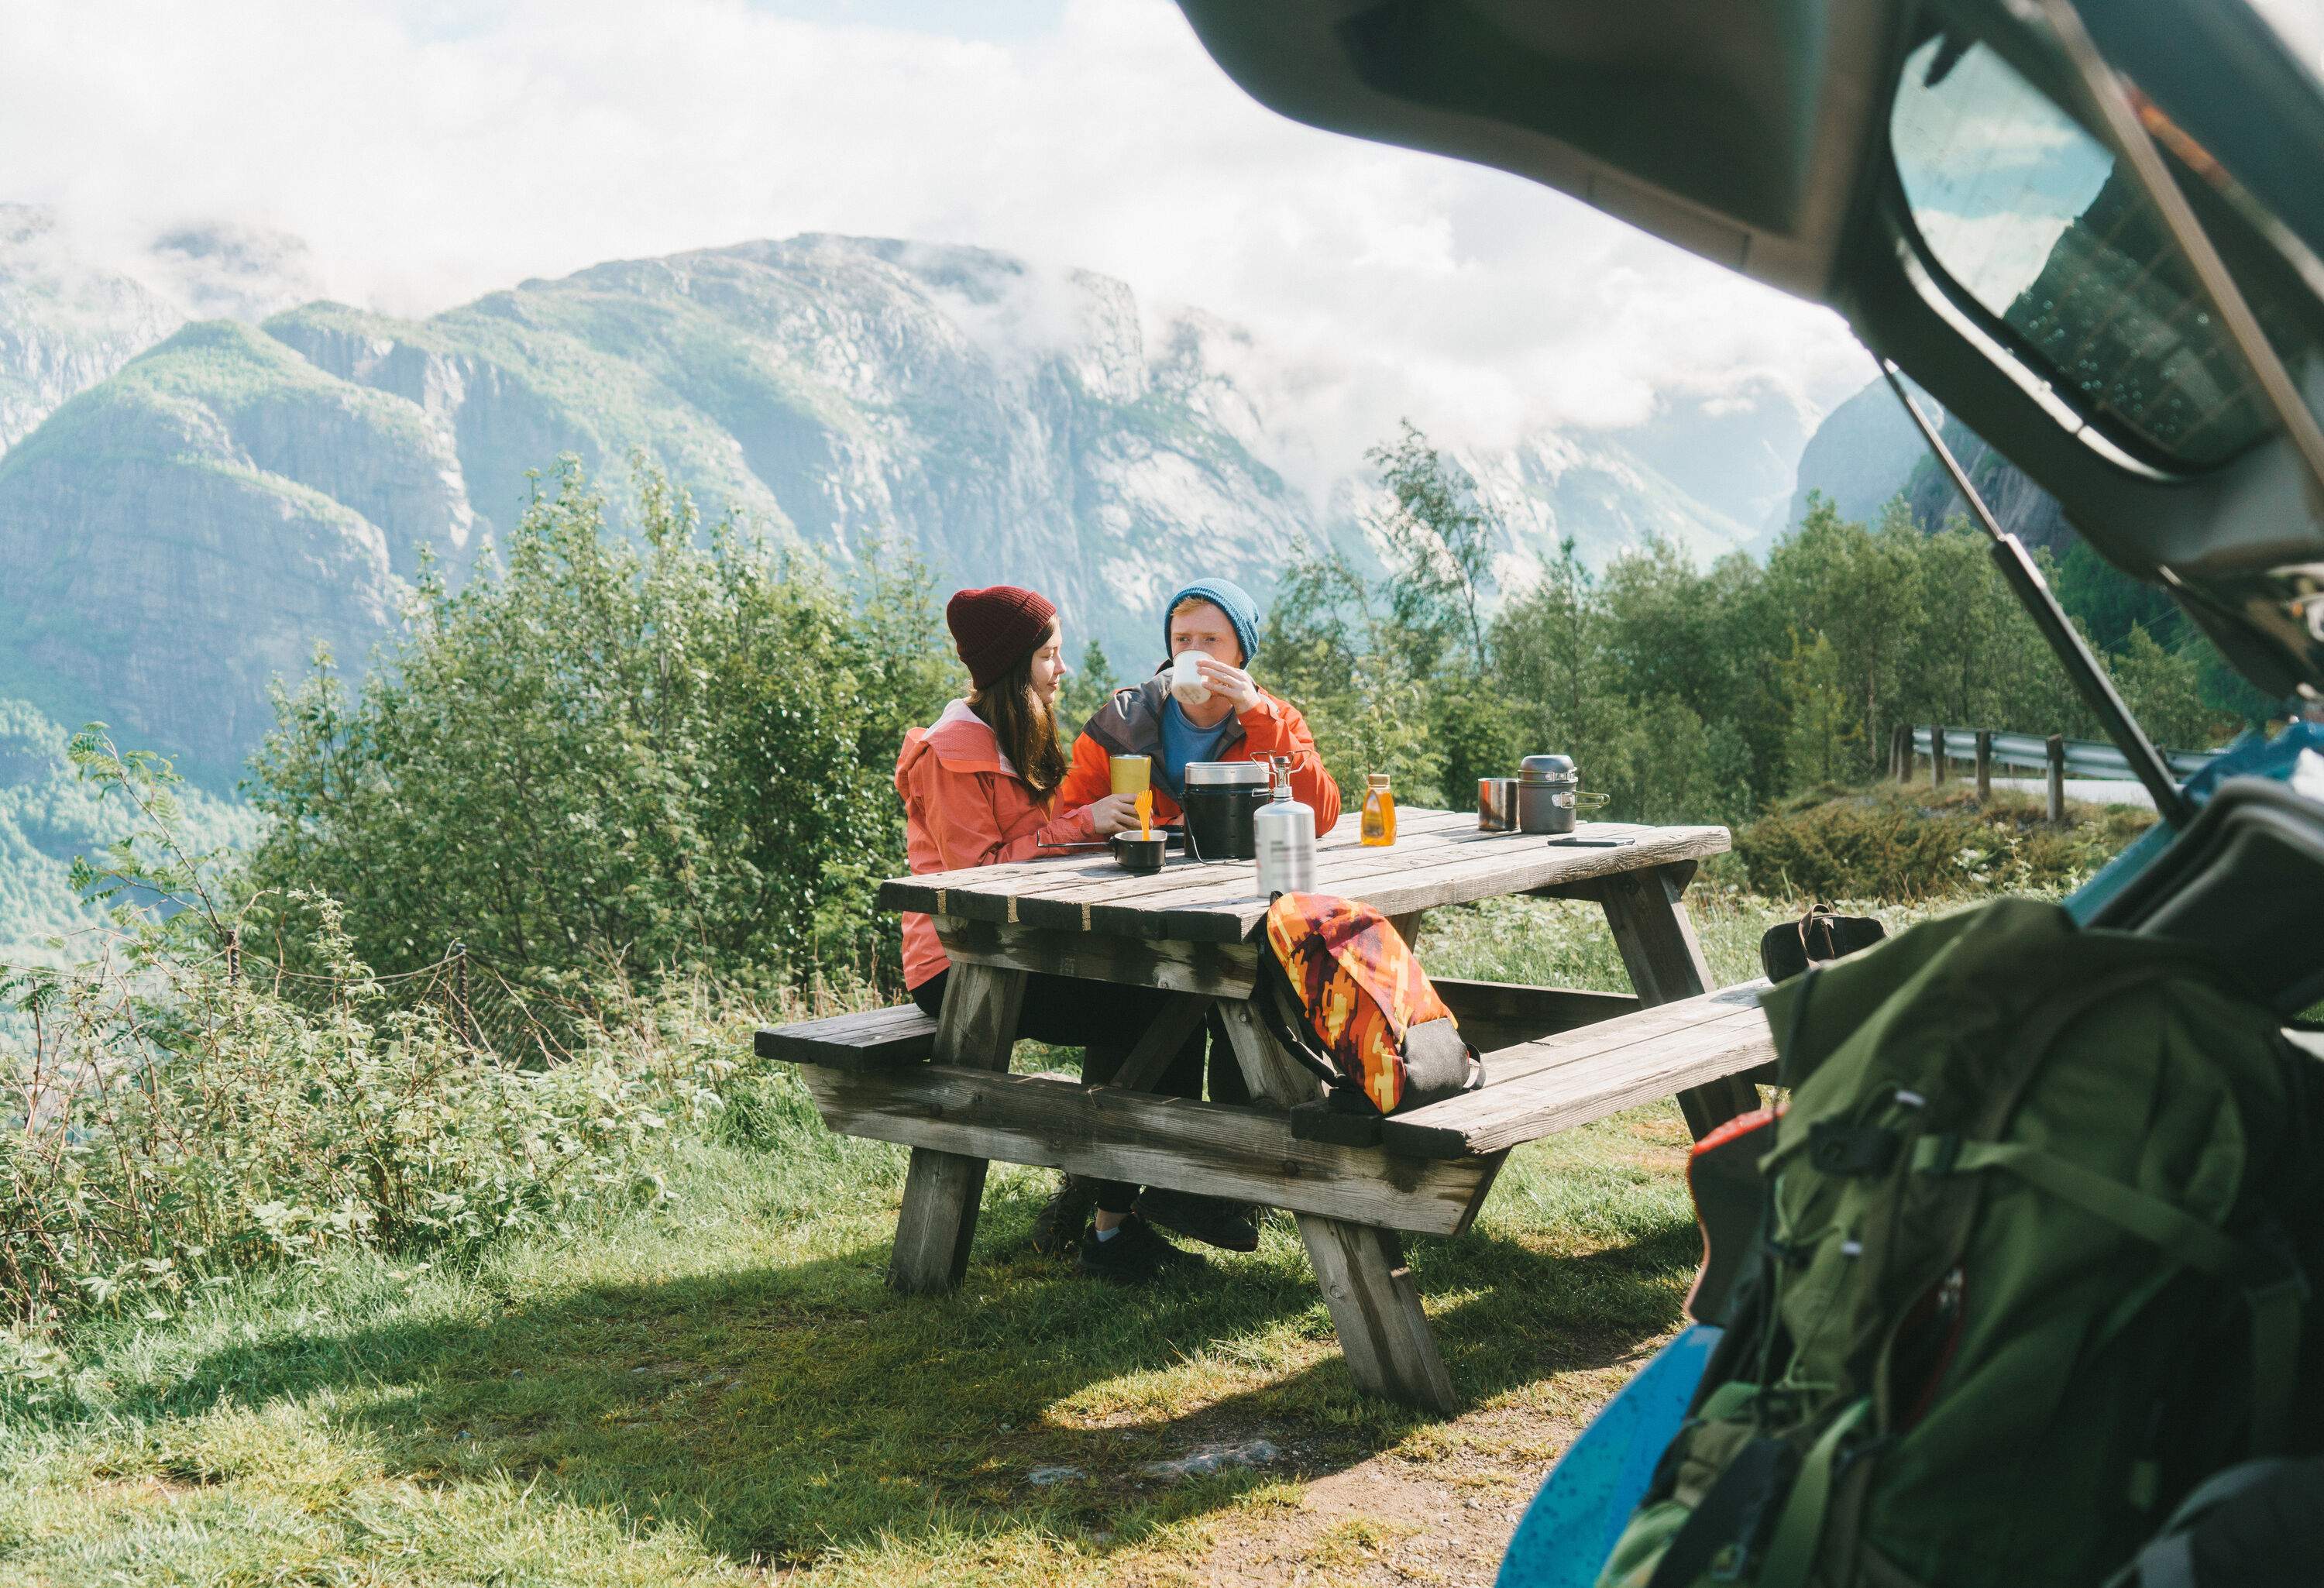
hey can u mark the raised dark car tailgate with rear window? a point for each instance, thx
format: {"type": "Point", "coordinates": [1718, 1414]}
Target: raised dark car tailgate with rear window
{"type": "Point", "coordinates": [1860, 152]}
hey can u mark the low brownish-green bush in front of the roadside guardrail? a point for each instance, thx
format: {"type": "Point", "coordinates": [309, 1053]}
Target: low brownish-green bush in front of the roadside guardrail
{"type": "Point", "coordinates": [1895, 845]}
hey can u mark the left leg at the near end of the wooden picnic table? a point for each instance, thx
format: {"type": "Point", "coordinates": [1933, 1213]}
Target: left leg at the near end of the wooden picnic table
{"type": "Point", "coordinates": [942, 1192]}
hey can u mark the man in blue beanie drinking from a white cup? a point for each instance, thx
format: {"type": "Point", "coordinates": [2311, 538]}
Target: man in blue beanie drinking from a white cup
{"type": "Point", "coordinates": [1219, 624]}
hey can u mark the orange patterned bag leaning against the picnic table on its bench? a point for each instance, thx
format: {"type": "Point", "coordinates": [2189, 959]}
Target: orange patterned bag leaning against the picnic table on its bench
{"type": "Point", "coordinates": [1354, 1006]}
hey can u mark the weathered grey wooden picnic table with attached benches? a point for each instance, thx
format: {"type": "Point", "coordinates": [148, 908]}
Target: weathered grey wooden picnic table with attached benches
{"type": "Point", "coordinates": [1554, 1057]}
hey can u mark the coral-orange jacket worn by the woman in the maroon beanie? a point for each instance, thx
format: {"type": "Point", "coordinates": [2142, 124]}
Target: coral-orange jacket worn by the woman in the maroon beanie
{"type": "Point", "coordinates": [966, 806]}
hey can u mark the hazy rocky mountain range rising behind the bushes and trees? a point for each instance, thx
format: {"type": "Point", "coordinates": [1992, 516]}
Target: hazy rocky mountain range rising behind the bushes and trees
{"type": "Point", "coordinates": [196, 520]}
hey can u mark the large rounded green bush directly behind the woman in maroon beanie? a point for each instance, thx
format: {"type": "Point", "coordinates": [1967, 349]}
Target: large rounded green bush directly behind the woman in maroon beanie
{"type": "Point", "coordinates": [615, 759]}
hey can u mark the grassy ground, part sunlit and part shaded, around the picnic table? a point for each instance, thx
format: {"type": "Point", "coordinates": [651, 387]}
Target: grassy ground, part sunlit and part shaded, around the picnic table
{"type": "Point", "coordinates": [719, 1389]}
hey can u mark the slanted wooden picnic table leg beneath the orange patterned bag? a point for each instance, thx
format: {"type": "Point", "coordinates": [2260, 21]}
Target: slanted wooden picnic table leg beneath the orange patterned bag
{"type": "Point", "coordinates": [1375, 1306]}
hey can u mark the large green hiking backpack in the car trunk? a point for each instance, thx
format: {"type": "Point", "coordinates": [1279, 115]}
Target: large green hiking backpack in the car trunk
{"type": "Point", "coordinates": [2021, 1278]}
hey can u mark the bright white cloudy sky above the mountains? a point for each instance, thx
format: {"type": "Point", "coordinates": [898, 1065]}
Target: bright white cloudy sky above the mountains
{"type": "Point", "coordinates": [433, 150]}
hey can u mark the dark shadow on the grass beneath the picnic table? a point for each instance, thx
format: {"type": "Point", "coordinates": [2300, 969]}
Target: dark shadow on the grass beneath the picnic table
{"type": "Point", "coordinates": [784, 1412]}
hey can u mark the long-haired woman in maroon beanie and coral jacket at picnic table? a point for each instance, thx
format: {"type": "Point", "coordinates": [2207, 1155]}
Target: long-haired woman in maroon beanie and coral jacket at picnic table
{"type": "Point", "coordinates": [980, 789]}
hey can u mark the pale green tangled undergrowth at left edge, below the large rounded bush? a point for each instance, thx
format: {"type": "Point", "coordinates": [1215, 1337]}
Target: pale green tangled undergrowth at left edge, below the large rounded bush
{"type": "Point", "coordinates": [175, 1122]}
